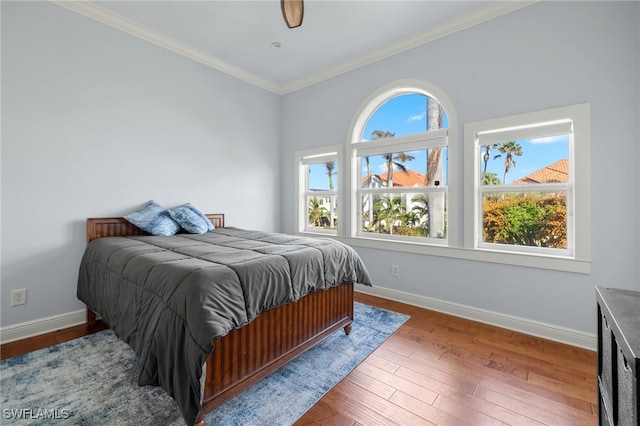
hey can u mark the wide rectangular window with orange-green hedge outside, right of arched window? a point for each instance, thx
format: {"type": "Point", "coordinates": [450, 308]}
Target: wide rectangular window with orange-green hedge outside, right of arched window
{"type": "Point", "coordinates": [529, 188]}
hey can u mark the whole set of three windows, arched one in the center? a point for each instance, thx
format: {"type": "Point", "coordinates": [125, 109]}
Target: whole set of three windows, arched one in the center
{"type": "Point", "coordinates": [401, 185]}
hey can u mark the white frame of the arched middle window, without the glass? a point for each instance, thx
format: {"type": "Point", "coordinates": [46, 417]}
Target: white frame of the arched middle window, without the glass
{"type": "Point", "coordinates": [419, 141]}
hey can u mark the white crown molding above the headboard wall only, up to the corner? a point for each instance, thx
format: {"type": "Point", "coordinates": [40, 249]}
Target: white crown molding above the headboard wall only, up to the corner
{"type": "Point", "coordinates": [119, 22]}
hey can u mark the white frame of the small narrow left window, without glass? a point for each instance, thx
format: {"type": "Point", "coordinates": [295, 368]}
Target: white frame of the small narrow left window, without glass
{"type": "Point", "coordinates": [302, 160]}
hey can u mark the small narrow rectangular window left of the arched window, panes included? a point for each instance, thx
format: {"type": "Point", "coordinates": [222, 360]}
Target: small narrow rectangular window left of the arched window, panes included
{"type": "Point", "coordinates": [317, 188]}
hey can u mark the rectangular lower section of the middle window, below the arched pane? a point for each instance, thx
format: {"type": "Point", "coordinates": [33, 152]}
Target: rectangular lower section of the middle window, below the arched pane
{"type": "Point", "coordinates": [402, 187]}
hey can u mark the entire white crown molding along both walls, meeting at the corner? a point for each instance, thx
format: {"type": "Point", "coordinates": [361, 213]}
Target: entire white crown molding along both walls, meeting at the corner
{"type": "Point", "coordinates": [485, 13]}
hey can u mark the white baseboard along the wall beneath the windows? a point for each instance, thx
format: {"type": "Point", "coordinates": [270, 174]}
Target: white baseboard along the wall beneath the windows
{"type": "Point", "coordinates": [534, 328]}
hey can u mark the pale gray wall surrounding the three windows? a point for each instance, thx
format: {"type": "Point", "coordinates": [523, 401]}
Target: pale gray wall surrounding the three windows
{"type": "Point", "coordinates": [547, 55]}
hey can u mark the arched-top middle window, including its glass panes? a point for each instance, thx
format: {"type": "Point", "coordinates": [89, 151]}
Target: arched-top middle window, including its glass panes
{"type": "Point", "coordinates": [399, 166]}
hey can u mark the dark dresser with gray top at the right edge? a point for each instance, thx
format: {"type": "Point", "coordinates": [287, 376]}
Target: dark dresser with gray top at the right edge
{"type": "Point", "coordinates": [618, 356]}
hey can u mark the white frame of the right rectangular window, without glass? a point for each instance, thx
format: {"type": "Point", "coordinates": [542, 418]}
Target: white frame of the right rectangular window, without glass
{"type": "Point", "coordinates": [574, 120]}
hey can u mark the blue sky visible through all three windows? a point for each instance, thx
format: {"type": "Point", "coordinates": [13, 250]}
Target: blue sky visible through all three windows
{"type": "Point", "coordinates": [406, 114]}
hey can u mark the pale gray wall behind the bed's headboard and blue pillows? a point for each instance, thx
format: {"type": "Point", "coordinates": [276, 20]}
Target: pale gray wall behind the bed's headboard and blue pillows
{"type": "Point", "coordinates": [96, 122]}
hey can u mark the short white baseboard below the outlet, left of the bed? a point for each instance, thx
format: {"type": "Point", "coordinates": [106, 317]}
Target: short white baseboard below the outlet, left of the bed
{"type": "Point", "coordinates": [23, 330]}
